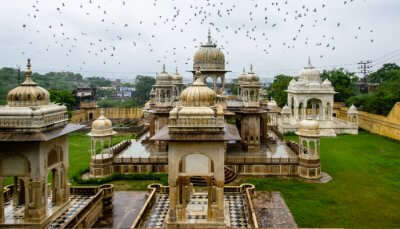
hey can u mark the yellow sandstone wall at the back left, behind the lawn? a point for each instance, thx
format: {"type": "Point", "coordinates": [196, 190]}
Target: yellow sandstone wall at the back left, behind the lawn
{"type": "Point", "coordinates": [84, 115]}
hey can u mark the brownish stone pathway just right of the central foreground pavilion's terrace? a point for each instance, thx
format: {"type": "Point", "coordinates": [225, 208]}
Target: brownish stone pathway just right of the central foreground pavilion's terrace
{"type": "Point", "coordinates": [272, 211]}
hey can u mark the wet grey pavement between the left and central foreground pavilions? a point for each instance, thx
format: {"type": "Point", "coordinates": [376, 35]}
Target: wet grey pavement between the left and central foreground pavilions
{"type": "Point", "coordinates": [126, 206]}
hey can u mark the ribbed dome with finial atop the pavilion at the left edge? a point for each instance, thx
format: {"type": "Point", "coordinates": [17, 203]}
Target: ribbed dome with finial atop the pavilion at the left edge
{"type": "Point", "coordinates": [28, 93]}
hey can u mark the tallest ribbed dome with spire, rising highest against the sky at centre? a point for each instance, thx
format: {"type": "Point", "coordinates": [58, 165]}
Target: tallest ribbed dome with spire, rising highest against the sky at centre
{"type": "Point", "coordinates": [209, 57]}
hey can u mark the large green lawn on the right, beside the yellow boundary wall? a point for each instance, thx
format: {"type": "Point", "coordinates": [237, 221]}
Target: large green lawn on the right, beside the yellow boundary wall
{"type": "Point", "coordinates": [364, 192]}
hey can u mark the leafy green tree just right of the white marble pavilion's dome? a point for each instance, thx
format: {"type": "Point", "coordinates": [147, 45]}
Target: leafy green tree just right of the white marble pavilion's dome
{"type": "Point", "coordinates": [343, 81]}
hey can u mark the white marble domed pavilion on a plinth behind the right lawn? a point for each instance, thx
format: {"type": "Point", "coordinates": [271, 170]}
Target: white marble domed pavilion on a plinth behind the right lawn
{"type": "Point", "coordinates": [310, 97]}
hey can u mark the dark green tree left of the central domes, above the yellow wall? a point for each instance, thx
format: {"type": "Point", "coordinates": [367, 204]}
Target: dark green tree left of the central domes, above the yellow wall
{"type": "Point", "coordinates": [143, 85]}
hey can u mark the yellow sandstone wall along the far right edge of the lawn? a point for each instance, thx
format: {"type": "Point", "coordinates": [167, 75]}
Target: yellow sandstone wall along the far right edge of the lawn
{"type": "Point", "coordinates": [386, 126]}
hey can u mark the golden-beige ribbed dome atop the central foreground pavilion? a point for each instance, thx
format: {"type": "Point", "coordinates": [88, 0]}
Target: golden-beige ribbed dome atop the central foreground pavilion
{"type": "Point", "coordinates": [198, 94]}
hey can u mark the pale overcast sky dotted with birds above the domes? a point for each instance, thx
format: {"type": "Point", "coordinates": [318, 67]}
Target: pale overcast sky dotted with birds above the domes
{"type": "Point", "coordinates": [120, 39]}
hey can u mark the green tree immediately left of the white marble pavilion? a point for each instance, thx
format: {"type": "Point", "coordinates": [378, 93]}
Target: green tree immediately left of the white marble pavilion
{"type": "Point", "coordinates": [277, 89]}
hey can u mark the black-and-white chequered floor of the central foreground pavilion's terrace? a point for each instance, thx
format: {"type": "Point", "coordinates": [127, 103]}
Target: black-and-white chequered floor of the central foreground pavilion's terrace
{"type": "Point", "coordinates": [236, 215]}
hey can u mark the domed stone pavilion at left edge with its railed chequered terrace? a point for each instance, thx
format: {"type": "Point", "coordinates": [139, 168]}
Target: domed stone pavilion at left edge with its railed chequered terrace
{"type": "Point", "coordinates": [34, 151]}
